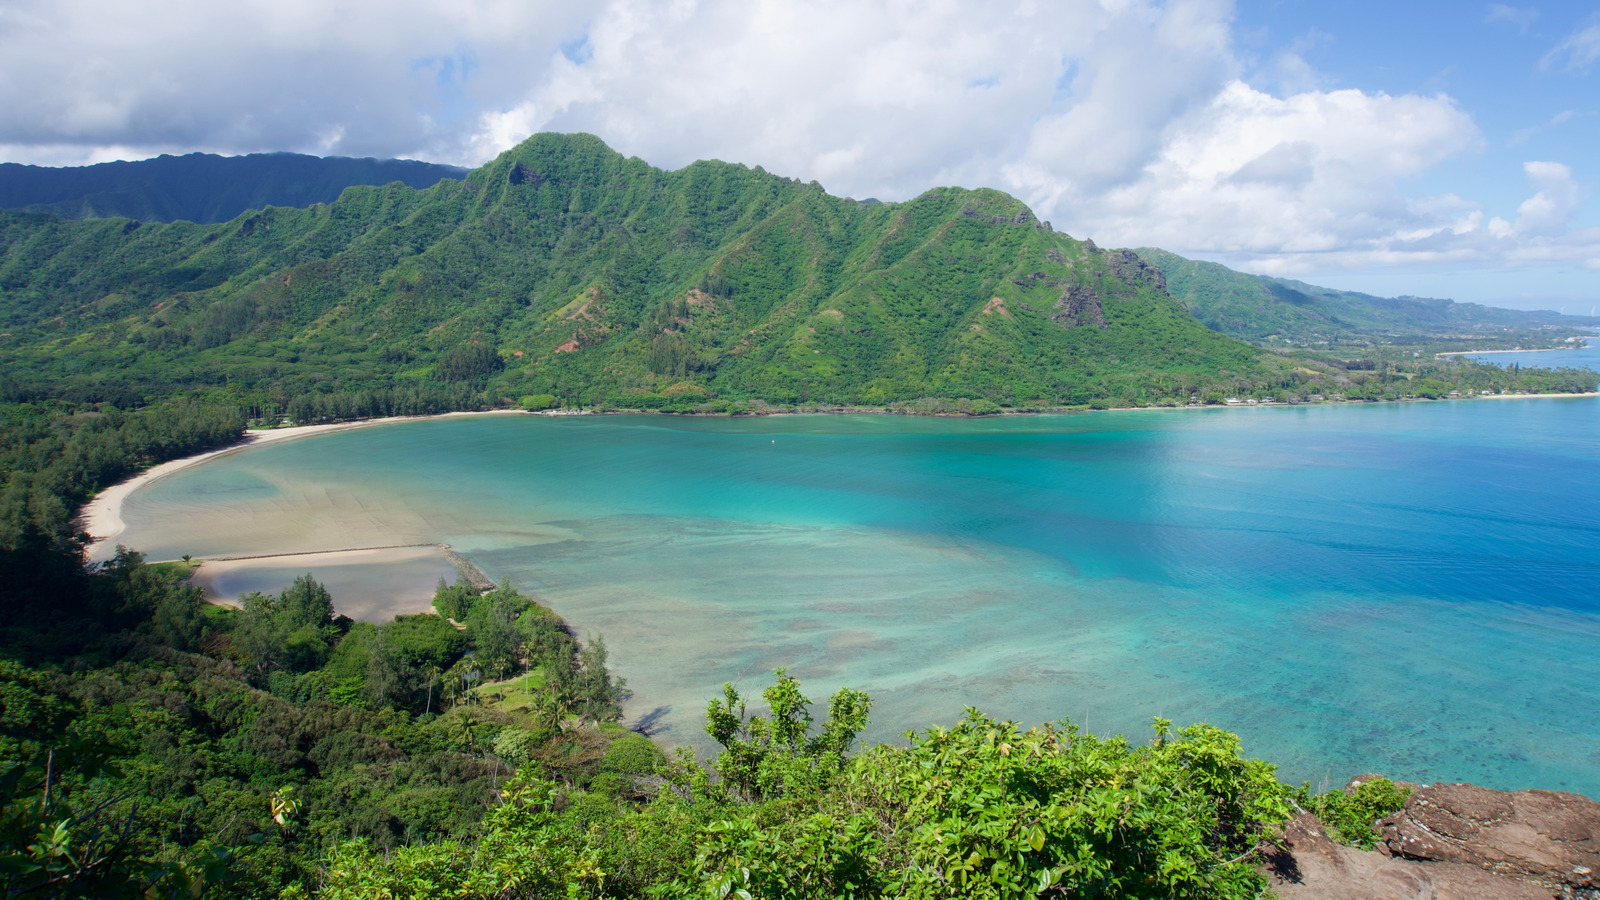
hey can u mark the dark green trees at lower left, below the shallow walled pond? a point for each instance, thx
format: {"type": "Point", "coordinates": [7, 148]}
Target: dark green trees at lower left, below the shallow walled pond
{"type": "Point", "coordinates": [207, 745]}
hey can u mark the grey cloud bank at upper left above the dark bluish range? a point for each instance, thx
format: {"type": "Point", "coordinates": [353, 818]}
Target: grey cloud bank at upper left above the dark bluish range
{"type": "Point", "coordinates": [262, 74]}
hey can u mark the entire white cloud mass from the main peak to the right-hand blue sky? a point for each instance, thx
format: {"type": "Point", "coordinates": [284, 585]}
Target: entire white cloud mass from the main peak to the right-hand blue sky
{"type": "Point", "coordinates": [1060, 105]}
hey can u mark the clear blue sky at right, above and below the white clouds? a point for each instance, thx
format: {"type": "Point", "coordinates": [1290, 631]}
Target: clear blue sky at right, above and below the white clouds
{"type": "Point", "coordinates": [1503, 65]}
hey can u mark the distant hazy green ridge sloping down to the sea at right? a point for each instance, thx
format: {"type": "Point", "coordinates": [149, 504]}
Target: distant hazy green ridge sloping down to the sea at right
{"type": "Point", "coordinates": [1287, 313]}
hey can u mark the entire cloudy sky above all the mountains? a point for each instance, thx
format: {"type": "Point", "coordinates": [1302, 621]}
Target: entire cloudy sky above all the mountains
{"type": "Point", "coordinates": [1401, 148]}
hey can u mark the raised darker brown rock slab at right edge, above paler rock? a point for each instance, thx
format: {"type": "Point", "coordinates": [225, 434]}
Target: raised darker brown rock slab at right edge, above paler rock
{"type": "Point", "coordinates": [1553, 837]}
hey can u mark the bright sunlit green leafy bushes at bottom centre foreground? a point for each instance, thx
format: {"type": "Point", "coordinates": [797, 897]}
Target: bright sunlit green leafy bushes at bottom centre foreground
{"type": "Point", "coordinates": [982, 810]}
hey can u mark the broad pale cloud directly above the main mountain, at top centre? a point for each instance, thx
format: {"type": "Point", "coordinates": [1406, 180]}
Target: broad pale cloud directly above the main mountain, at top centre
{"type": "Point", "coordinates": [870, 97]}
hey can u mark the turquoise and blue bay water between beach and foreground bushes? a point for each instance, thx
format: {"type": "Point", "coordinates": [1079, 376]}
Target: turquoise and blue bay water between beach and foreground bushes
{"type": "Point", "coordinates": [1407, 589]}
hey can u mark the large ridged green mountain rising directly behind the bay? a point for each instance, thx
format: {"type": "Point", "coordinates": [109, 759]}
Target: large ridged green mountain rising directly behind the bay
{"type": "Point", "coordinates": [564, 268]}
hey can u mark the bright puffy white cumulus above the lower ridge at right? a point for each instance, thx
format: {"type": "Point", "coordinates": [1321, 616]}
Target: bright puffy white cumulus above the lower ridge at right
{"type": "Point", "coordinates": [1316, 172]}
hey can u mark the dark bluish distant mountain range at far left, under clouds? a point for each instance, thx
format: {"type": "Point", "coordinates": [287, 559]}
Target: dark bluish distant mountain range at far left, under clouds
{"type": "Point", "coordinates": [201, 188]}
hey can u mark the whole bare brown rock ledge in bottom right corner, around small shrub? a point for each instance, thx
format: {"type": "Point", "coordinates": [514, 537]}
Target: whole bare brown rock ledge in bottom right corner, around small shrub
{"type": "Point", "coordinates": [1449, 843]}
